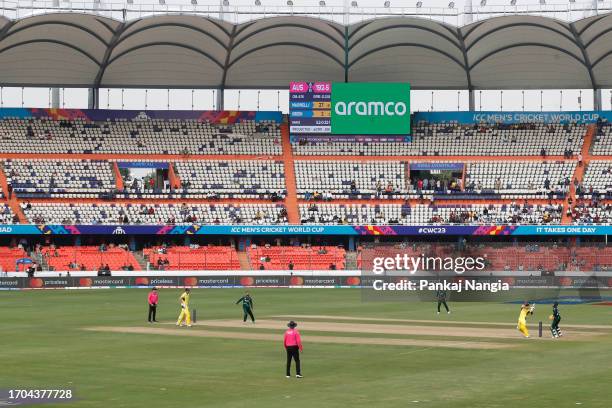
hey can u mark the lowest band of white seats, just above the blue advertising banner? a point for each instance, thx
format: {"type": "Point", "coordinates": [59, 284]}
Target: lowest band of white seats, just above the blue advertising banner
{"type": "Point", "coordinates": [323, 213]}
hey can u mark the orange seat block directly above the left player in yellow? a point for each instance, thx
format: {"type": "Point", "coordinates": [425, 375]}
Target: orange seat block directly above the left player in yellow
{"type": "Point", "coordinates": [194, 258]}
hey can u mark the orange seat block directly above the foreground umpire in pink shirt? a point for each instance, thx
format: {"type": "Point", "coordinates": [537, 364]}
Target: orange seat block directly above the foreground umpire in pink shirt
{"type": "Point", "coordinates": [279, 257]}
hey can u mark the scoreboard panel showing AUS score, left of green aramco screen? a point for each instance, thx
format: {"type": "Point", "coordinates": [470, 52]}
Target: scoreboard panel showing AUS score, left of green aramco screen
{"type": "Point", "coordinates": [310, 107]}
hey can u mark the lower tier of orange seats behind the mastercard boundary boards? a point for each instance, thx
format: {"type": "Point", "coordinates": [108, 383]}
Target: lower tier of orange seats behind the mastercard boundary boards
{"type": "Point", "coordinates": [546, 257]}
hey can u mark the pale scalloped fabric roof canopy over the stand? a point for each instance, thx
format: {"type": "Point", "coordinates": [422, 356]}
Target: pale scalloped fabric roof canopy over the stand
{"type": "Point", "coordinates": [183, 51]}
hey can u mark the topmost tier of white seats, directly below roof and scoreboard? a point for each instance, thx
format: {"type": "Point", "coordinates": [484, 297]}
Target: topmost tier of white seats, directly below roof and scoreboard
{"type": "Point", "coordinates": [191, 137]}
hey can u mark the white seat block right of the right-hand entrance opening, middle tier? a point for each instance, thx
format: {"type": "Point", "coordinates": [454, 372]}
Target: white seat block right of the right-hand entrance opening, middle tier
{"type": "Point", "coordinates": [524, 179]}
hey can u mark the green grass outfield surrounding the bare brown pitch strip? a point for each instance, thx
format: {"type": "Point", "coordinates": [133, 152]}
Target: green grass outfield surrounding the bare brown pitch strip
{"type": "Point", "coordinates": [43, 345]}
